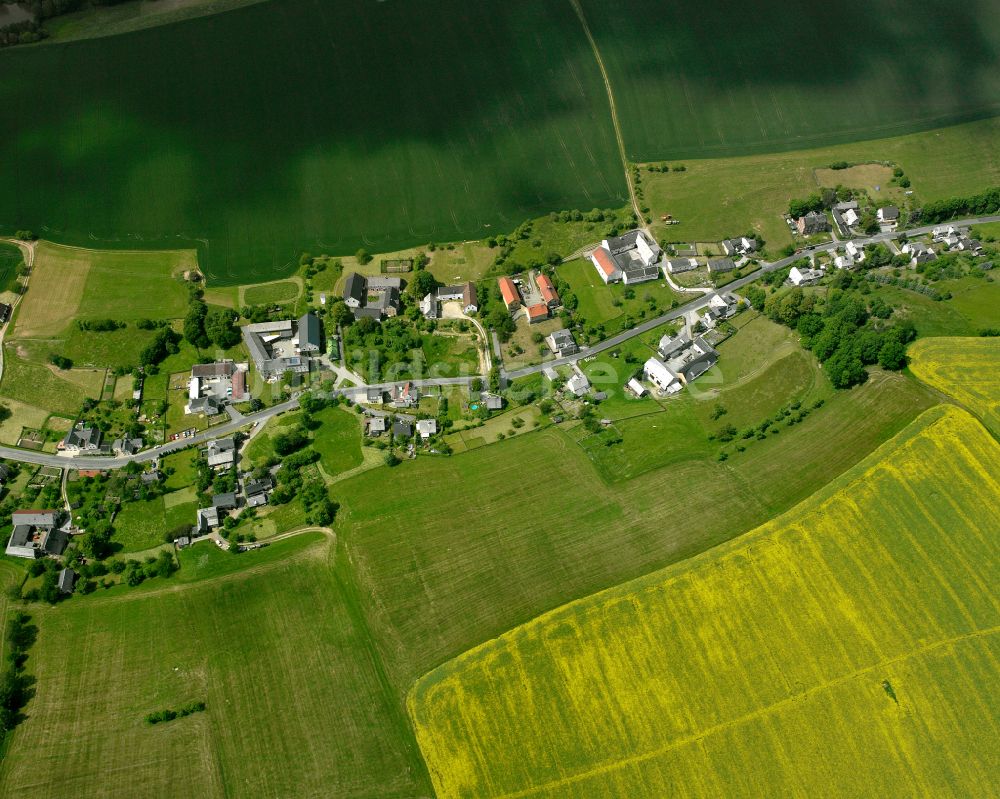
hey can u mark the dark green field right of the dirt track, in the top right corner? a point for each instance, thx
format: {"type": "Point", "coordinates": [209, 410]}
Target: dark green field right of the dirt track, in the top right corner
{"type": "Point", "coordinates": [696, 80]}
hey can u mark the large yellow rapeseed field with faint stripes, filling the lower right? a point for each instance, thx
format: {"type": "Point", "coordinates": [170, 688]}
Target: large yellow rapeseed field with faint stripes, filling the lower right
{"type": "Point", "coordinates": [848, 648]}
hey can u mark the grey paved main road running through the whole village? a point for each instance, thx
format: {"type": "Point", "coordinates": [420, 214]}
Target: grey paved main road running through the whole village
{"type": "Point", "coordinates": [89, 462]}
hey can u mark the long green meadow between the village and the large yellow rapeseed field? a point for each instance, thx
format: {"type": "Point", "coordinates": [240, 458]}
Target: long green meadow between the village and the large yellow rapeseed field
{"type": "Point", "coordinates": [427, 557]}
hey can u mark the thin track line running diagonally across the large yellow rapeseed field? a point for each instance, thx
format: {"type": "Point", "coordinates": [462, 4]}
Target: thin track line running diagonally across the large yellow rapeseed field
{"type": "Point", "coordinates": [761, 713]}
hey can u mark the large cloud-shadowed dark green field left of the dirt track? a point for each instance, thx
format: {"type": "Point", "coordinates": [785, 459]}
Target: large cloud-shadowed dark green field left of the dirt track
{"type": "Point", "coordinates": [307, 125]}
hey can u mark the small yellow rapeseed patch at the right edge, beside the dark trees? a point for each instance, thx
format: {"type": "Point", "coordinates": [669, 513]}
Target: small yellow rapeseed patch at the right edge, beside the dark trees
{"type": "Point", "coordinates": [967, 369]}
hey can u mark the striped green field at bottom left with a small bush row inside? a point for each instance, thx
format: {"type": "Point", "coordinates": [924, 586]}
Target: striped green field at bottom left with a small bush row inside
{"type": "Point", "coordinates": [296, 704]}
